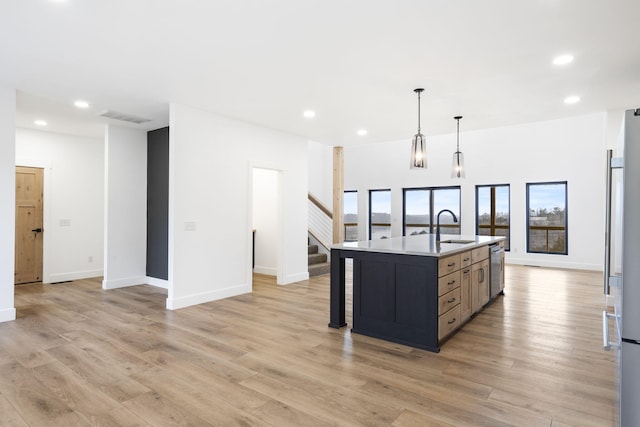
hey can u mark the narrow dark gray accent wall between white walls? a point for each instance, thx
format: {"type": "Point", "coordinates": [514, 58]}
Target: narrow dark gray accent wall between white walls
{"type": "Point", "coordinates": [158, 203]}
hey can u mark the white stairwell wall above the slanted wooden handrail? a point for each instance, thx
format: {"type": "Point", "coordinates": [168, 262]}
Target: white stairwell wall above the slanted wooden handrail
{"type": "Point", "coordinates": [321, 166]}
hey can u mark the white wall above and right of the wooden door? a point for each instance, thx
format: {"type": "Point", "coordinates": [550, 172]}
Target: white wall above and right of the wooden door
{"type": "Point", "coordinates": [73, 201]}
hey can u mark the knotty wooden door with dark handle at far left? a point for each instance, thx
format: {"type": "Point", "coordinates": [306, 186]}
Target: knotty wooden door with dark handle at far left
{"type": "Point", "coordinates": [28, 258]}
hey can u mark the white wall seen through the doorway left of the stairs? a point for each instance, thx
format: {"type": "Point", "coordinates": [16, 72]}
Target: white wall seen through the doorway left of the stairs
{"type": "Point", "coordinates": [265, 220]}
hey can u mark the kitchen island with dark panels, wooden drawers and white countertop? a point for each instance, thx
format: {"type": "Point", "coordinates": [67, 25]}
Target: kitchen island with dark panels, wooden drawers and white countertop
{"type": "Point", "coordinates": [412, 290]}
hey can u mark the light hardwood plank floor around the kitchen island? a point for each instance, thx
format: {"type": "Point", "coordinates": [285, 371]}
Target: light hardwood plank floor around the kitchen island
{"type": "Point", "coordinates": [78, 355]}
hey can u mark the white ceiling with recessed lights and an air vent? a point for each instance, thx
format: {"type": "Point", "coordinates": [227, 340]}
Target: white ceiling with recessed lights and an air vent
{"type": "Point", "coordinates": [355, 62]}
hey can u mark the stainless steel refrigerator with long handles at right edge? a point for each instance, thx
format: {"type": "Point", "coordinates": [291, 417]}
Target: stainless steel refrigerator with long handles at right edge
{"type": "Point", "coordinates": [622, 264]}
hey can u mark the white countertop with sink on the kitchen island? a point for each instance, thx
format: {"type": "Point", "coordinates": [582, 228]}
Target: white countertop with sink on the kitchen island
{"type": "Point", "coordinates": [421, 244]}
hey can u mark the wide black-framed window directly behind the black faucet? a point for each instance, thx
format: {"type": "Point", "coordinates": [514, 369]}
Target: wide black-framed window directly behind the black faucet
{"type": "Point", "coordinates": [421, 206]}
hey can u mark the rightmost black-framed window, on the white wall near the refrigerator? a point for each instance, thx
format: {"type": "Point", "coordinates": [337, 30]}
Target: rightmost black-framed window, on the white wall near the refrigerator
{"type": "Point", "coordinates": [547, 218]}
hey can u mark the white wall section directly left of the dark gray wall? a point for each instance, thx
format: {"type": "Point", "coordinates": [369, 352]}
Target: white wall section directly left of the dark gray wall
{"type": "Point", "coordinates": [125, 207]}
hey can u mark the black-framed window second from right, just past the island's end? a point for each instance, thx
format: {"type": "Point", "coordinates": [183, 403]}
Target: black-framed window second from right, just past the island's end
{"type": "Point", "coordinates": [492, 211]}
